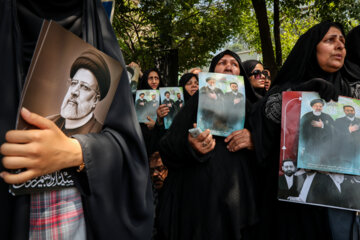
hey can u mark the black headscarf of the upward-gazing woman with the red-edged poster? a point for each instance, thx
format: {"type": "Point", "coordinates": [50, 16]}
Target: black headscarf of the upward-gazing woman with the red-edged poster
{"type": "Point", "coordinates": [301, 64]}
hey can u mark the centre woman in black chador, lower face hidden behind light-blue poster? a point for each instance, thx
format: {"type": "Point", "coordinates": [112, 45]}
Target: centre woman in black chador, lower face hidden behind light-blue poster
{"type": "Point", "coordinates": [209, 192]}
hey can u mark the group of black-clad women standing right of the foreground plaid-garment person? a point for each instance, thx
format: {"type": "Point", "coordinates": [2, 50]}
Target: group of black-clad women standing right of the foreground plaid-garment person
{"type": "Point", "coordinates": [226, 187]}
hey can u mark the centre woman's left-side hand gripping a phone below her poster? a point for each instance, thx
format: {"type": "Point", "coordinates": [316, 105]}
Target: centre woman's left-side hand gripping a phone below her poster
{"type": "Point", "coordinates": [204, 143]}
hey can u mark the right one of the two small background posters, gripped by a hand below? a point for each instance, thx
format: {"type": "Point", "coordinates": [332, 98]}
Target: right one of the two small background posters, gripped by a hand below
{"type": "Point", "coordinates": [173, 98]}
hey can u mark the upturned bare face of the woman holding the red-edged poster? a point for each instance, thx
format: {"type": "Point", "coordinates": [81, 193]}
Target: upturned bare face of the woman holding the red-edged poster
{"type": "Point", "coordinates": [330, 51]}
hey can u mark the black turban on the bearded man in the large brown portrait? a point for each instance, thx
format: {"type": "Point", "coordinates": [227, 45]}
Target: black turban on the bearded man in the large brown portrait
{"type": "Point", "coordinates": [95, 63]}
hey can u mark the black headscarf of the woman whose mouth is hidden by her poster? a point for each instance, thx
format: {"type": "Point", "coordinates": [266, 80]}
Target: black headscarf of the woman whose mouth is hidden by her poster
{"type": "Point", "coordinates": [249, 90]}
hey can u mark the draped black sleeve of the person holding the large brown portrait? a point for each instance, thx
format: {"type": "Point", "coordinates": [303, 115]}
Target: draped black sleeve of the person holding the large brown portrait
{"type": "Point", "coordinates": [119, 187]}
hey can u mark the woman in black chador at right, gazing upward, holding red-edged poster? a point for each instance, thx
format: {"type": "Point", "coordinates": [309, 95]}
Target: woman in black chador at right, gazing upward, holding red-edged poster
{"type": "Point", "coordinates": [312, 65]}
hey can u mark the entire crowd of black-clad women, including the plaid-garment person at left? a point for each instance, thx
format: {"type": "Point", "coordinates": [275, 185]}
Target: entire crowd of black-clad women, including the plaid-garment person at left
{"type": "Point", "coordinates": [205, 187]}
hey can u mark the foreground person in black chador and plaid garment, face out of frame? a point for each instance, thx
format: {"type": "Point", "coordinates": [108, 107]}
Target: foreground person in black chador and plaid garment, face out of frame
{"type": "Point", "coordinates": [112, 196]}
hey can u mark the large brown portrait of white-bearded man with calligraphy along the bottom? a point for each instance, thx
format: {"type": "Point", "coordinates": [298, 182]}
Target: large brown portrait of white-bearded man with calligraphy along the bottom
{"type": "Point", "coordinates": [71, 83]}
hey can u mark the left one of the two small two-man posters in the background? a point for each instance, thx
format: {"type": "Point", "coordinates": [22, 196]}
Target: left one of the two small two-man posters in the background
{"type": "Point", "coordinates": [146, 104]}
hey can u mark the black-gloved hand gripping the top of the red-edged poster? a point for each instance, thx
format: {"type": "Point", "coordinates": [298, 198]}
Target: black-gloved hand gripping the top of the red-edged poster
{"type": "Point", "coordinates": [325, 89]}
